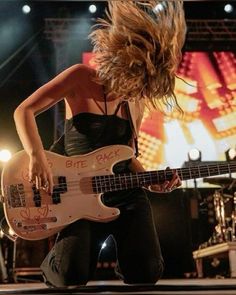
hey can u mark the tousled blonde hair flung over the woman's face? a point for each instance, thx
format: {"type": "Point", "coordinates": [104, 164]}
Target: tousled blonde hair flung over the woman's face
{"type": "Point", "coordinates": [138, 49]}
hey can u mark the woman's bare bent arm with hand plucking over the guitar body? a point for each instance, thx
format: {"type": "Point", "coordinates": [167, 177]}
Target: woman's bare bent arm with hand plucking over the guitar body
{"type": "Point", "coordinates": [46, 96]}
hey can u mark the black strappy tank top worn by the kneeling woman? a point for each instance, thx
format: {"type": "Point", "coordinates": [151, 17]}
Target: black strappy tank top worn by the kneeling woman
{"type": "Point", "coordinates": [86, 132]}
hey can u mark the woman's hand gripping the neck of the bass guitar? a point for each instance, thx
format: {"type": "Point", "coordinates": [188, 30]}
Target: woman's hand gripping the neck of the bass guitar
{"type": "Point", "coordinates": [167, 186]}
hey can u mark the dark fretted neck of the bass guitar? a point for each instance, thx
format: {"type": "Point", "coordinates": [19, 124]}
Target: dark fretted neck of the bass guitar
{"type": "Point", "coordinates": [106, 183]}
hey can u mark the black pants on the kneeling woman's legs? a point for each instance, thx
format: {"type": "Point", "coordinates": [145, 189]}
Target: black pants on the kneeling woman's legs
{"type": "Point", "coordinates": [73, 259]}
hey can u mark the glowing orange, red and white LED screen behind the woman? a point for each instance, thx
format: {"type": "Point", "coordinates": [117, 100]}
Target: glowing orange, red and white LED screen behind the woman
{"type": "Point", "coordinates": [207, 94]}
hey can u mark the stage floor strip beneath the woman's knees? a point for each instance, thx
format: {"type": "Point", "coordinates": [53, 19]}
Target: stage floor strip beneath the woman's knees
{"type": "Point", "coordinates": [163, 287]}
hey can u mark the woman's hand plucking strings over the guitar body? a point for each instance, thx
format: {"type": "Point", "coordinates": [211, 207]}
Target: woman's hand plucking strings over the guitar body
{"type": "Point", "coordinates": [40, 173]}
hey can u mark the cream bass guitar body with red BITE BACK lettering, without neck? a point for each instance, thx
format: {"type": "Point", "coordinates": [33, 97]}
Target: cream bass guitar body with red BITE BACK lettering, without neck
{"type": "Point", "coordinates": [33, 215]}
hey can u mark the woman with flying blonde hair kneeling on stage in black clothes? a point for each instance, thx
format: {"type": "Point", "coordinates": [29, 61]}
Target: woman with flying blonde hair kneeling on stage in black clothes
{"type": "Point", "coordinates": [137, 53]}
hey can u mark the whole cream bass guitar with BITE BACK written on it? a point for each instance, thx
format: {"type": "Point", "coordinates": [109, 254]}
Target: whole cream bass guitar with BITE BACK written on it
{"type": "Point", "coordinates": [78, 184]}
